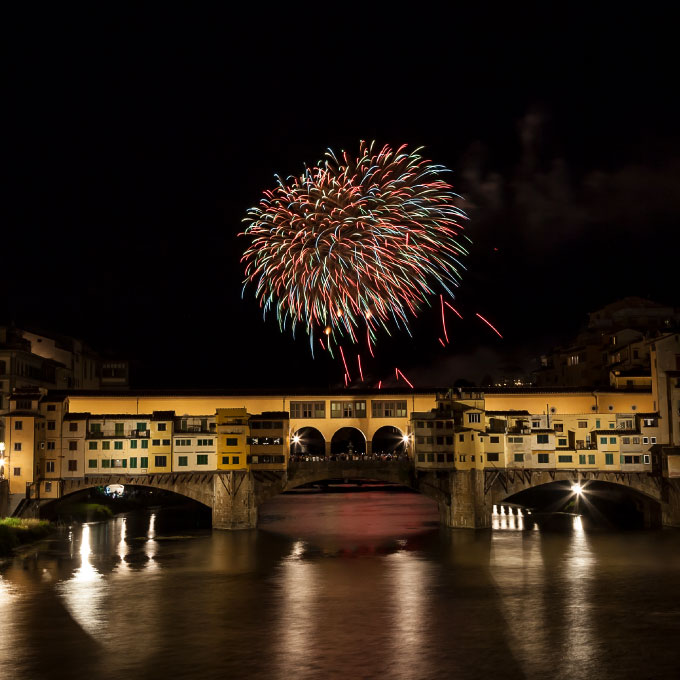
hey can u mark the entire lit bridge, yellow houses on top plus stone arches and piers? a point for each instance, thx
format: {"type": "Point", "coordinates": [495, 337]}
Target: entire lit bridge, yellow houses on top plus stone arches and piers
{"type": "Point", "coordinates": [458, 441]}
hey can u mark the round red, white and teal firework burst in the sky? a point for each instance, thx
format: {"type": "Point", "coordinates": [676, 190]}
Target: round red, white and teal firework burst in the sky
{"type": "Point", "coordinates": [355, 242]}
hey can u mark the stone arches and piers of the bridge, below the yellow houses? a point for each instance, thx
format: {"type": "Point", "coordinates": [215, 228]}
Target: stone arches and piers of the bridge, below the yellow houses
{"type": "Point", "coordinates": [465, 497]}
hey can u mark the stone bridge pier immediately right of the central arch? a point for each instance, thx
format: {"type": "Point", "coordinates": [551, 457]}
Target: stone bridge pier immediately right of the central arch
{"type": "Point", "coordinates": [466, 506]}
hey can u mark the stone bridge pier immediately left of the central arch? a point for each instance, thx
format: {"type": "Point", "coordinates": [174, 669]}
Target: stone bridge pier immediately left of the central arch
{"type": "Point", "coordinates": [234, 505]}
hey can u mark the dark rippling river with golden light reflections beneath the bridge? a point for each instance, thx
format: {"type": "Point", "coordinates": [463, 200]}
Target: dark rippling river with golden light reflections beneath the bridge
{"type": "Point", "coordinates": [341, 585]}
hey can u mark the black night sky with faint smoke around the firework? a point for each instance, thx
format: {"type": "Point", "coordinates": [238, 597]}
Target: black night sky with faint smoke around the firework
{"type": "Point", "coordinates": [137, 140]}
